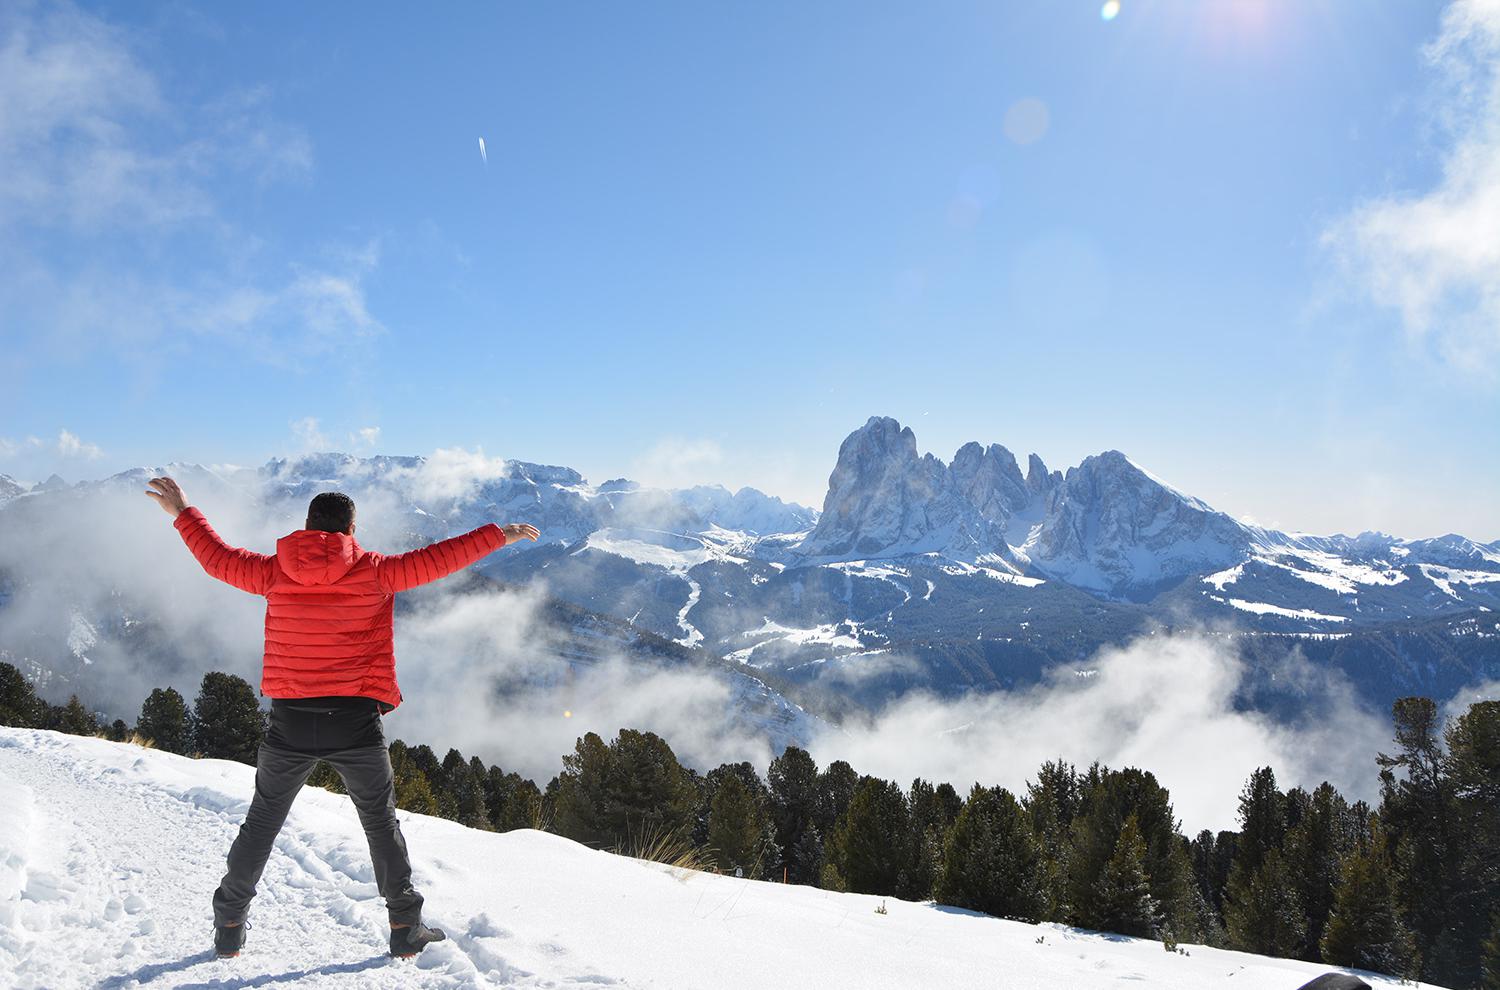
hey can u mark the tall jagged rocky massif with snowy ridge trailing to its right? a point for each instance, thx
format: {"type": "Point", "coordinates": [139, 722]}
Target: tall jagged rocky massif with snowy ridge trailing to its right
{"type": "Point", "coordinates": [1108, 526]}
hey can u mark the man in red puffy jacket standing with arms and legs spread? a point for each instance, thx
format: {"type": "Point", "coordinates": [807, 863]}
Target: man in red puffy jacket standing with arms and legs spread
{"type": "Point", "coordinates": [331, 673]}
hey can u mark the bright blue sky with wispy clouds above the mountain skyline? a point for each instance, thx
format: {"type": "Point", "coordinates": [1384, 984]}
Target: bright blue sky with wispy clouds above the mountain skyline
{"type": "Point", "coordinates": [1235, 239]}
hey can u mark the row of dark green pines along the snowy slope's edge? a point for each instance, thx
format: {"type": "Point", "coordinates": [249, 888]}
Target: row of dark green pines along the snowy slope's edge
{"type": "Point", "coordinates": [1411, 887]}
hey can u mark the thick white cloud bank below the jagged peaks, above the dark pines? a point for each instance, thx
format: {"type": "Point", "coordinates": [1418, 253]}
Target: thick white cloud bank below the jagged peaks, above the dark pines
{"type": "Point", "coordinates": [1165, 704]}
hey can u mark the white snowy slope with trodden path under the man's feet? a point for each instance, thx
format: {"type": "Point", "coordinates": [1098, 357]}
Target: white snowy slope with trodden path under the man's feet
{"type": "Point", "coordinates": [109, 856]}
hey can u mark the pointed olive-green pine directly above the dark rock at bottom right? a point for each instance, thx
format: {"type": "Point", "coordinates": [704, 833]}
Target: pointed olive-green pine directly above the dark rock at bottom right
{"type": "Point", "coordinates": [1364, 929]}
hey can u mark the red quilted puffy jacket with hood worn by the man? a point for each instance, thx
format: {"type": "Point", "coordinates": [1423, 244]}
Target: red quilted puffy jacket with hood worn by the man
{"type": "Point", "coordinates": [329, 602]}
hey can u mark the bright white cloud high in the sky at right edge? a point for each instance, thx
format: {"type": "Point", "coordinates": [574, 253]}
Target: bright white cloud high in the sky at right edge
{"type": "Point", "coordinates": [1435, 256]}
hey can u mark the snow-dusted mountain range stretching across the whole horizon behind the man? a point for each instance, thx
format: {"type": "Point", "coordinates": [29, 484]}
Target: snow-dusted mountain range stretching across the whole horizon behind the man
{"type": "Point", "coordinates": [961, 575]}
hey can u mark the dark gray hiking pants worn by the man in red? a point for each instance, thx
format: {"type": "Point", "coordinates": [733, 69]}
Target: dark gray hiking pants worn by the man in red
{"type": "Point", "coordinates": [347, 734]}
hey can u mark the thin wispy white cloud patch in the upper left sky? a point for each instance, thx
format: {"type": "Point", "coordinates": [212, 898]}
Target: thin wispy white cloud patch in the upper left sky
{"type": "Point", "coordinates": [113, 176]}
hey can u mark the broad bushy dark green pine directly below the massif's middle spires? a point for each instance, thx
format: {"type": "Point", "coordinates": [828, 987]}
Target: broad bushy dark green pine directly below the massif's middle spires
{"type": "Point", "coordinates": [991, 860]}
